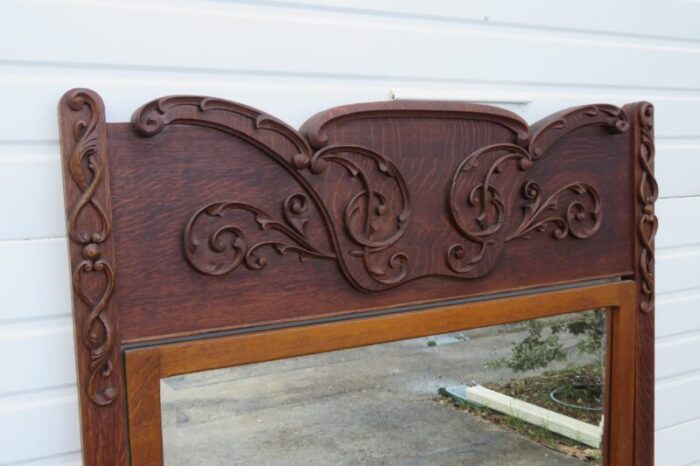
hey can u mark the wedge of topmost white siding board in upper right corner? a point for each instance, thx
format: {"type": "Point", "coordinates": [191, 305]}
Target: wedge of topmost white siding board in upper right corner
{"type": "Point", "coordinates": [676, 20]}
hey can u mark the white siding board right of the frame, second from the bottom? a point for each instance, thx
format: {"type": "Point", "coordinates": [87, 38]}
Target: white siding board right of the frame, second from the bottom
{"type": "Point", "coordinates": [677, 402]}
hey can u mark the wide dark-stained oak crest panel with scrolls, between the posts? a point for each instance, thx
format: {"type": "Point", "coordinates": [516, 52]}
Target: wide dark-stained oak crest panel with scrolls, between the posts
{"type": "Point", "coordinates": [421, 242]}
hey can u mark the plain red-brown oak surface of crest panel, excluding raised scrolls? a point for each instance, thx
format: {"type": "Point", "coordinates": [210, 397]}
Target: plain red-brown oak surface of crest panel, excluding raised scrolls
{"type": "Point", "coordinates": [160, 181]}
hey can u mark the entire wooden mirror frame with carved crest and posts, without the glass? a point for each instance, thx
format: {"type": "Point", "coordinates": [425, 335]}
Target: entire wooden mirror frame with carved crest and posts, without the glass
{"type": "Point", "coordinates": [206, 234]}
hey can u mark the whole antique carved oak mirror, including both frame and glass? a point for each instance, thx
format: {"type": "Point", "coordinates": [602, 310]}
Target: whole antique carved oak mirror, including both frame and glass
{"type": "Point", "coordinates": [237, 281]}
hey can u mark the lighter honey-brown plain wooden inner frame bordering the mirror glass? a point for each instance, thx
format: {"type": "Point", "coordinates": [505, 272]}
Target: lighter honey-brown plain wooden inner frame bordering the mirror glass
{"type": "Point", "coordinates": [146, 366]}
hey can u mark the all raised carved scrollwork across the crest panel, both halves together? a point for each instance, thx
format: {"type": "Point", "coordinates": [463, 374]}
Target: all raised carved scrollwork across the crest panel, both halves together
{"type": "Point", "coordinates": [488, 190]}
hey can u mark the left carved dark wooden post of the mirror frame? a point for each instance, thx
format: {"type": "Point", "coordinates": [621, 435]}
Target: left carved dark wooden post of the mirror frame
{"type": "Point", "coordinates": [89, 224]}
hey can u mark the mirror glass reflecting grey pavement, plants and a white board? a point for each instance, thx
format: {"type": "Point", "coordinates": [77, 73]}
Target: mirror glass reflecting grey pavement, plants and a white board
{"type": "Point", "coordinates": [526, 393]}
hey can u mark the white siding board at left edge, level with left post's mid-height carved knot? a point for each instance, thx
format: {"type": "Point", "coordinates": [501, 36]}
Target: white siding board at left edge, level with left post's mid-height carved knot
{"type": "Point", "coordinates": [34, 279]}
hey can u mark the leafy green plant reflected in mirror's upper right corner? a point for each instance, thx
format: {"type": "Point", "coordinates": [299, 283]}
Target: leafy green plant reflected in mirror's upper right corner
{"type": "Point", "coordinates": [539, 348]}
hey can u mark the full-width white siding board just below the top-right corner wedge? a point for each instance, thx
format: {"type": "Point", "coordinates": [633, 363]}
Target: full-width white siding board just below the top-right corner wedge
{"type": "Point", "coordinates": [259, 39]}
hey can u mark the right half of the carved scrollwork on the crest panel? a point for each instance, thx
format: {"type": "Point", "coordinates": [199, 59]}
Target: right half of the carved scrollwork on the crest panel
{"type": "Point", "coordinates": [477, 205]}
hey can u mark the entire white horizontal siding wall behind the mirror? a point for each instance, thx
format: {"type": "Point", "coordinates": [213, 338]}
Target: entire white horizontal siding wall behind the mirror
{"type": "Point", "coordinates": [292, 59]}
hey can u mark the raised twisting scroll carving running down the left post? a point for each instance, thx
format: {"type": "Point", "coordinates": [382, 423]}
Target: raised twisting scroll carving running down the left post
{"type": "Point", "coordinates": [89, 226]}
